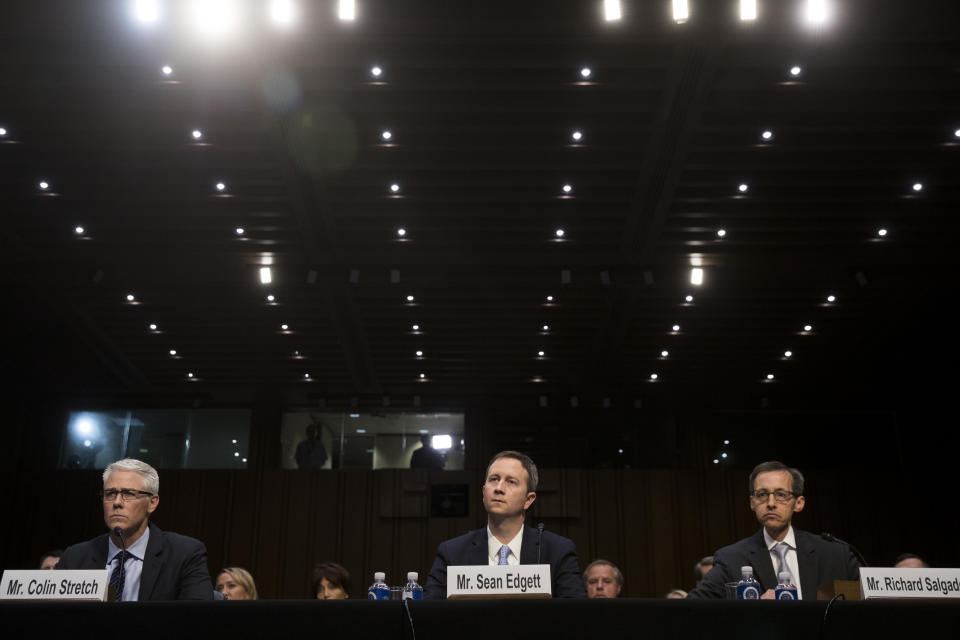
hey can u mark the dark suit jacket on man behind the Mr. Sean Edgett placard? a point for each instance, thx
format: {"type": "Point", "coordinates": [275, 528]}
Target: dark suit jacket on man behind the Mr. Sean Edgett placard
{"type": "Point", "coordinates": [471, 549]}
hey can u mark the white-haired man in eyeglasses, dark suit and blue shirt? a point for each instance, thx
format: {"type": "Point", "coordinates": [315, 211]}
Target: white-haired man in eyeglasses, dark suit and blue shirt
{"type": "Point", "coordinates": [144, 562]}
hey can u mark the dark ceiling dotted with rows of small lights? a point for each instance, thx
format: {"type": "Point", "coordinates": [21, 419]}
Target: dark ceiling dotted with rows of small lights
{"type": "Point", "coordinates": [481, 99]}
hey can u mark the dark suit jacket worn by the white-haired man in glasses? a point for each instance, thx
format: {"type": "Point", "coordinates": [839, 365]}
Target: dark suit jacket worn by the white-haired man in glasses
{"type": "Point", "coordinates": [174, 566]}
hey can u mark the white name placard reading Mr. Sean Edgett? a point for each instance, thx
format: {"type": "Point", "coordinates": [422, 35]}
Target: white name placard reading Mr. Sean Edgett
{"type": "Point", "coordinates": [487, 581]}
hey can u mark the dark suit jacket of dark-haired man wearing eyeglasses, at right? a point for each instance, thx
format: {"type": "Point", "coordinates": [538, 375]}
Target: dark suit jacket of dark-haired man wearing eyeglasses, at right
{"type": "Point", "coordinates": [818, 560]}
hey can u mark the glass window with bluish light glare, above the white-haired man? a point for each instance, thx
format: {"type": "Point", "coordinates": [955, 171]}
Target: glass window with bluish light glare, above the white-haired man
{"type": "Point", "coordinates": [163, 438]}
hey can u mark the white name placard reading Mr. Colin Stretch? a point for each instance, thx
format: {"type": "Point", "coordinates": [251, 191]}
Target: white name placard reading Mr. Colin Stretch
{"type": "Point", "coordinates": [66, 584]}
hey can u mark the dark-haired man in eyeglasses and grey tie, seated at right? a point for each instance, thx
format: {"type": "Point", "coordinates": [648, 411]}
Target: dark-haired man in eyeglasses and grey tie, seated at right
{"type": "Point", "coordinates": [776, 493]}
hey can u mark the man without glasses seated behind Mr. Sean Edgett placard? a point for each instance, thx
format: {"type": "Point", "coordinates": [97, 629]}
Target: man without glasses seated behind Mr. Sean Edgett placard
{"type": "Point", "coordinates": [509, 489]}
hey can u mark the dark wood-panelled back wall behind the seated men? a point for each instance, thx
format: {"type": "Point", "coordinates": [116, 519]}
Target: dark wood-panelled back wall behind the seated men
{"type": "Point", "coordinates": [874, 478]}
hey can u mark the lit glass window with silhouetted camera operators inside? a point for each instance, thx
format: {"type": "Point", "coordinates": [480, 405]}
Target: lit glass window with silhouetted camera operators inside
{"type": "Point", "coordinates": [326, 440]}
